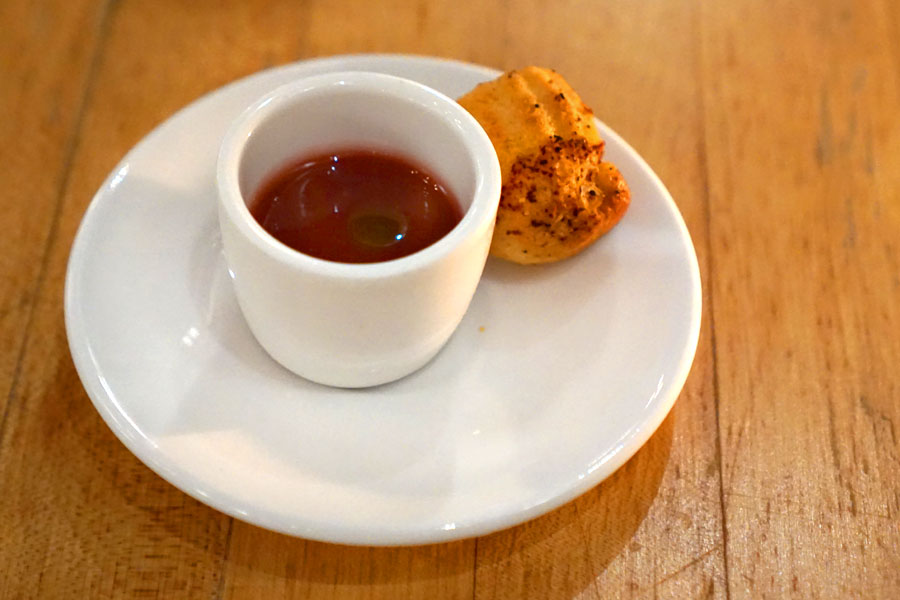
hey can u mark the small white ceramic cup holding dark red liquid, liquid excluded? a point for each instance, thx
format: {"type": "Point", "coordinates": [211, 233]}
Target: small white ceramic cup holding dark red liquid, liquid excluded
{"type": "Point", "coordinates": [356, 325]}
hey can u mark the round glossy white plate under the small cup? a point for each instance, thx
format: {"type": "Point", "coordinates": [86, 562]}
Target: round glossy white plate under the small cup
{"type": "Point", "coordinates": [556, 376]}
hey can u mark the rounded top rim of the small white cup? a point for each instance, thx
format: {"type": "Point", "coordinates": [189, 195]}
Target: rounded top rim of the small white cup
{"type": "Point", "coordinates": [481, 212]}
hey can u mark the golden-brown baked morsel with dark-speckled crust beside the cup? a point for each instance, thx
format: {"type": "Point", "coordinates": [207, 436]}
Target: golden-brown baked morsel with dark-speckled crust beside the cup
{"type": "Point", "coordinates": [558, 195]}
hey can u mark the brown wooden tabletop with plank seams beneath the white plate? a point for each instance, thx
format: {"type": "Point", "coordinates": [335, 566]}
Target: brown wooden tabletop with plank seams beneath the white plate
{"type": "Point", "coordinates": [776, 126]}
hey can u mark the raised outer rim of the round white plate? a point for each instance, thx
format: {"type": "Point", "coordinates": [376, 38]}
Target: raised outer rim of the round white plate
{"type": "Point", "coordinates": [103, 398]}
